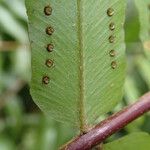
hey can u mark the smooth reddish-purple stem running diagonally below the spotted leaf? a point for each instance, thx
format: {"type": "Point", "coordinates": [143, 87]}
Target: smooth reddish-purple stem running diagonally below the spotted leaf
{"type": "Point", "coordinates": [110, 126]}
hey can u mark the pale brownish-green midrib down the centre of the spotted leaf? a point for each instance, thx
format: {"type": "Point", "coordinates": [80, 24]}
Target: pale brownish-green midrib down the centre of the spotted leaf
{"type": "Point", "coordinates": [82, 118]}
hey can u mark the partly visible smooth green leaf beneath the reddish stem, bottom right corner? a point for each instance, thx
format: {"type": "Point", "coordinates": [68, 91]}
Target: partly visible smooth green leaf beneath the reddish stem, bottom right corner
{"type": "Point", "coordinates": [134, 141]}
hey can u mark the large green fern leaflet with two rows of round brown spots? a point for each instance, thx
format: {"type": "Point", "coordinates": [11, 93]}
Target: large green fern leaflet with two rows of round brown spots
{"type": "Point", "coordinates": [83, 85]}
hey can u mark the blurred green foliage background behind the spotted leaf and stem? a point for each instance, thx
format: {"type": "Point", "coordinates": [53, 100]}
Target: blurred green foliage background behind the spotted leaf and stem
{"type": "Point", "coordinates": [22, 125]}
